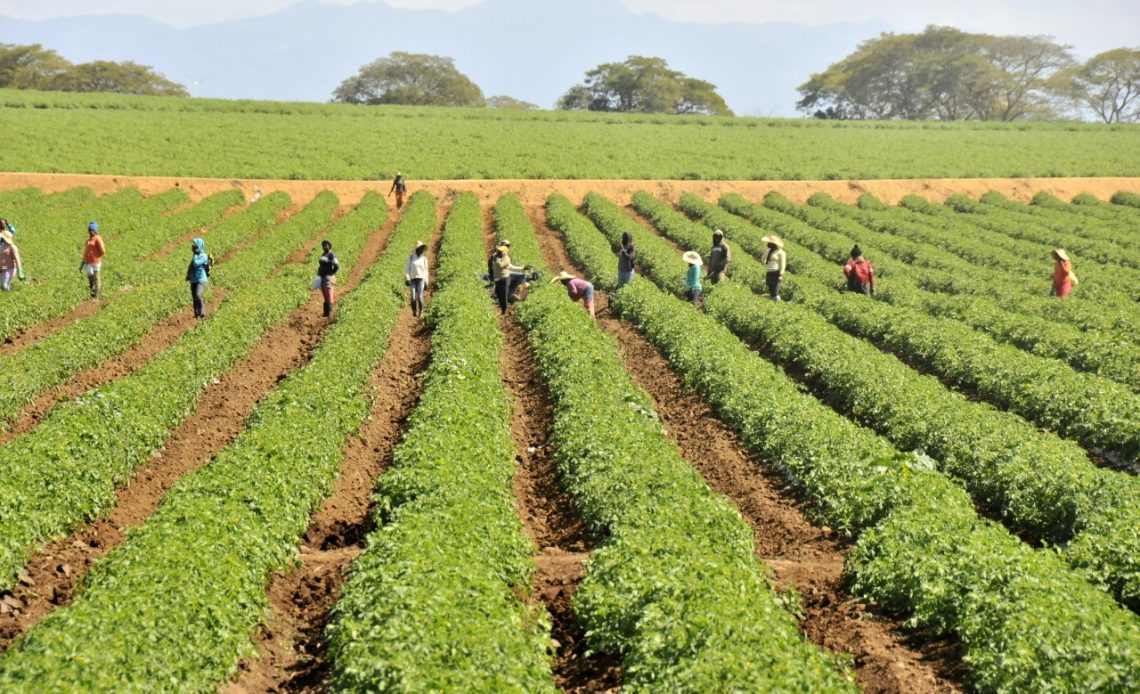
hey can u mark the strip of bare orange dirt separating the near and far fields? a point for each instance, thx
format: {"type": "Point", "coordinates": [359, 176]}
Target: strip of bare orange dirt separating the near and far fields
{"type": "Point", "coordinates": [534, 192]}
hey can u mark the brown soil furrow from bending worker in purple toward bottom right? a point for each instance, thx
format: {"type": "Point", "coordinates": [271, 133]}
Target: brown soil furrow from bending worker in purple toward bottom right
{"type": "Point", "coordinates": [886, 658]}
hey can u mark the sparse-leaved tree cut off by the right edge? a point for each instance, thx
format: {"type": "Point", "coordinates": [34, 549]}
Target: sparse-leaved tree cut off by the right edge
{"type": "Point", "coordinates": [1110, 85]}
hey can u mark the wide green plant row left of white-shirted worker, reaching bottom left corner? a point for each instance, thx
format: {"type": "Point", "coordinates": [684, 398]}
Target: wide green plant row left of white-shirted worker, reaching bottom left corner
{"type": "Point", "coordinates": [175, 608]}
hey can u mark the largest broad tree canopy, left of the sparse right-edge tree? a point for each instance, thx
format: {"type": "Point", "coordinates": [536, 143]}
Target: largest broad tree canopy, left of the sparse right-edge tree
{"type": "Point", "coordinates": [942, 75]}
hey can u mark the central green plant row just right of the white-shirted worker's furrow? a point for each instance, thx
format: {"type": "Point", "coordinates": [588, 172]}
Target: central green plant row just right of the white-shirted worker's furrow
{"type": "Point", "coordinates": [439, 599]}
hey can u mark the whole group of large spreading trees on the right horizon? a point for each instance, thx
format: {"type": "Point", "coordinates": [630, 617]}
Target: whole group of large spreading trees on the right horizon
{"type": "Point", "coordinates": [948, 75]}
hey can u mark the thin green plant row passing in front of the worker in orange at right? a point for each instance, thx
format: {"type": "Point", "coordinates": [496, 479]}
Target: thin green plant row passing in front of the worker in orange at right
{"type": "Point", "coordinates": [935, 270]}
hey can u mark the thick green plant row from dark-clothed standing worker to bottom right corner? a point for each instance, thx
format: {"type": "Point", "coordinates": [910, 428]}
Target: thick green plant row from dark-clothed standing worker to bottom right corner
{"type": "Point", "coordinates": [1025, 620]}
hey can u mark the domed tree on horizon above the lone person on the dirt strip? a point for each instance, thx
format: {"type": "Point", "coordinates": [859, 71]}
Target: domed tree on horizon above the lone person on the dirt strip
{"type": "Point", "coordinates": [417, 79]}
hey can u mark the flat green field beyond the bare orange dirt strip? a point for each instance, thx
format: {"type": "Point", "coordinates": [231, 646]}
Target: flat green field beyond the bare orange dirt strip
{"type": "Point", "coordinates": [156, 136]}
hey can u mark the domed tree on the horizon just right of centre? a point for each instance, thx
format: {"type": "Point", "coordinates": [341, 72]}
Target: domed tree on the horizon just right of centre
{"type": "Point", "coordinates": [644, 85]}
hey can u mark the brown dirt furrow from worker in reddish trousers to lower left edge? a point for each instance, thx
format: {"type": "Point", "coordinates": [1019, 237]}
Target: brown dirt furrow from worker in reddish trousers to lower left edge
{"type": "Point", "coordinates": [52, 576]}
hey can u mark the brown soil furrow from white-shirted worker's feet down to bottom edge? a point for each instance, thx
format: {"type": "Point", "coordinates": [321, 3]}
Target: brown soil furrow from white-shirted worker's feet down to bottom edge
{"type": "Point", "coordinates": [291, 643]}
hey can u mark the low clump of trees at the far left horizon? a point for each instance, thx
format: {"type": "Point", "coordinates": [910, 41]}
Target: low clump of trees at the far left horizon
{"type": "Point", "coordinates": [34, 67]}
